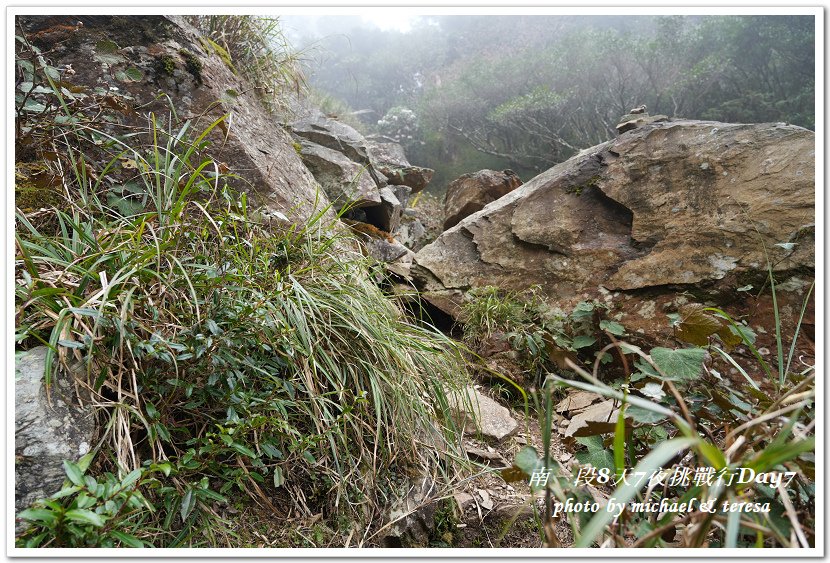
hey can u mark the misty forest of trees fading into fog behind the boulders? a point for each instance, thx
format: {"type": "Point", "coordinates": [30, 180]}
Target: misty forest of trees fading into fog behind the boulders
{"type": "Point", "coordinates": [462, 93]}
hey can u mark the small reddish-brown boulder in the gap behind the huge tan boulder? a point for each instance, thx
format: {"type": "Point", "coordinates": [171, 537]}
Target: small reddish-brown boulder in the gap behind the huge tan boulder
{"type": "Point", "coordinates": [471, 192]}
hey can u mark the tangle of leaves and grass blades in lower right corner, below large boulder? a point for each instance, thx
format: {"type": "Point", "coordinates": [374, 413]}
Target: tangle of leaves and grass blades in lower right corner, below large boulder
{"type": "Point", "coordinates": [711, 422]}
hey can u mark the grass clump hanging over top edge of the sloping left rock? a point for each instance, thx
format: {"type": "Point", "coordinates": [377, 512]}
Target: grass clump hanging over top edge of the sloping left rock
{"type": "Point", "coordinates": [256, 47]}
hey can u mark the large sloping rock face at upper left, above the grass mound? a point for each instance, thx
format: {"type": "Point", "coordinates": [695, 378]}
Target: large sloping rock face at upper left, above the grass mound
{"type": "Point", "coordinates": [143, 65]}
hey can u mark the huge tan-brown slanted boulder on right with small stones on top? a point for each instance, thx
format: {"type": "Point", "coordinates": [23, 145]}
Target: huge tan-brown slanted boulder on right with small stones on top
{"type": "Point", "coordinates": [677, 204]}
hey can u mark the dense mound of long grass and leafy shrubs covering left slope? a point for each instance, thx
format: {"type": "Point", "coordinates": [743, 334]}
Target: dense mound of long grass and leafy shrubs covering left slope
{"type": "Point", "coordinates": [226, 359]}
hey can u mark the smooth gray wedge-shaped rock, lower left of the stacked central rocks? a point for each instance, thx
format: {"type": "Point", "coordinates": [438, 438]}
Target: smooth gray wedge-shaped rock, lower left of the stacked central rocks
{"type": "Point", "coordinates": [344, 181]}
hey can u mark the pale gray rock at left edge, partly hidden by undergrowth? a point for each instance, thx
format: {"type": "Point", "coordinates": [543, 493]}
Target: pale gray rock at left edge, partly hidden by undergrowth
{"type": "Point", "coordinates": [45, 434]}
